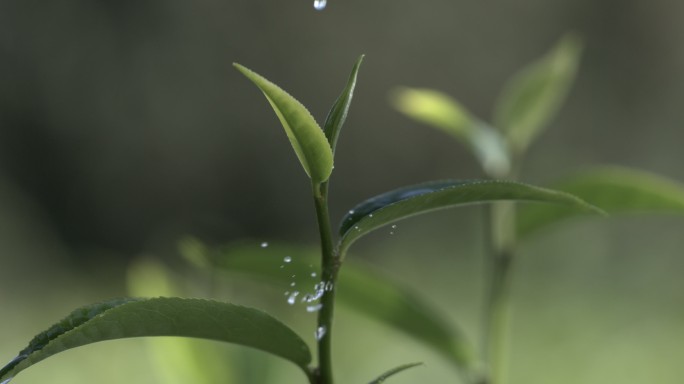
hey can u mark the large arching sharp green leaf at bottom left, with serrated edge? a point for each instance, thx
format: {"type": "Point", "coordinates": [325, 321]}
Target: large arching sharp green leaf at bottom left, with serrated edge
{"type": "Point", "coordinates": [125, 318]}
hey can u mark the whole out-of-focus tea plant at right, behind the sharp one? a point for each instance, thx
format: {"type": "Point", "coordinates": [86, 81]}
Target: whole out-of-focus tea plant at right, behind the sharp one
{"type": "Point", "coordinates": [525, 107]}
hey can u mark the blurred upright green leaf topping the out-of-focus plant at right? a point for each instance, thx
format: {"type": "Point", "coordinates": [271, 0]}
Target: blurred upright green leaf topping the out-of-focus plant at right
{"type": "Point", "coordinates": [534, 95]}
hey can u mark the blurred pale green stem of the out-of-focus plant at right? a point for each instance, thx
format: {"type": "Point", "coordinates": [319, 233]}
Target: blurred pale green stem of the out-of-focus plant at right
{"type": "Point", "coordinates": [501, 244]}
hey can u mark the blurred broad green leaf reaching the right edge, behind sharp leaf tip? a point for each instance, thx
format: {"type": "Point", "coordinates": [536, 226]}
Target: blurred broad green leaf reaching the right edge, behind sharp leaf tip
{"type": "Point", "coordinates": [616, 190]}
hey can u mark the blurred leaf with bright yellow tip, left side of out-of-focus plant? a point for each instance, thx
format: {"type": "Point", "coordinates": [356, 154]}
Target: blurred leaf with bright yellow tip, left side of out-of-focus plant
{"type": "Point", "coordinates": [446, 114]}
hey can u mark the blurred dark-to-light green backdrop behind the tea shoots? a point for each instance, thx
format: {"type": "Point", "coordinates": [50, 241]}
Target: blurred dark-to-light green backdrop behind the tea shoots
{"type": "Point", "coordinates": [123, 126]}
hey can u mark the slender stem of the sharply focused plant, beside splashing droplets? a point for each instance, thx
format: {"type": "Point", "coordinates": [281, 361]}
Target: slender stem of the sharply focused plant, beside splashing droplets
{"type": "Point", "coordinates": [329, 269]}
